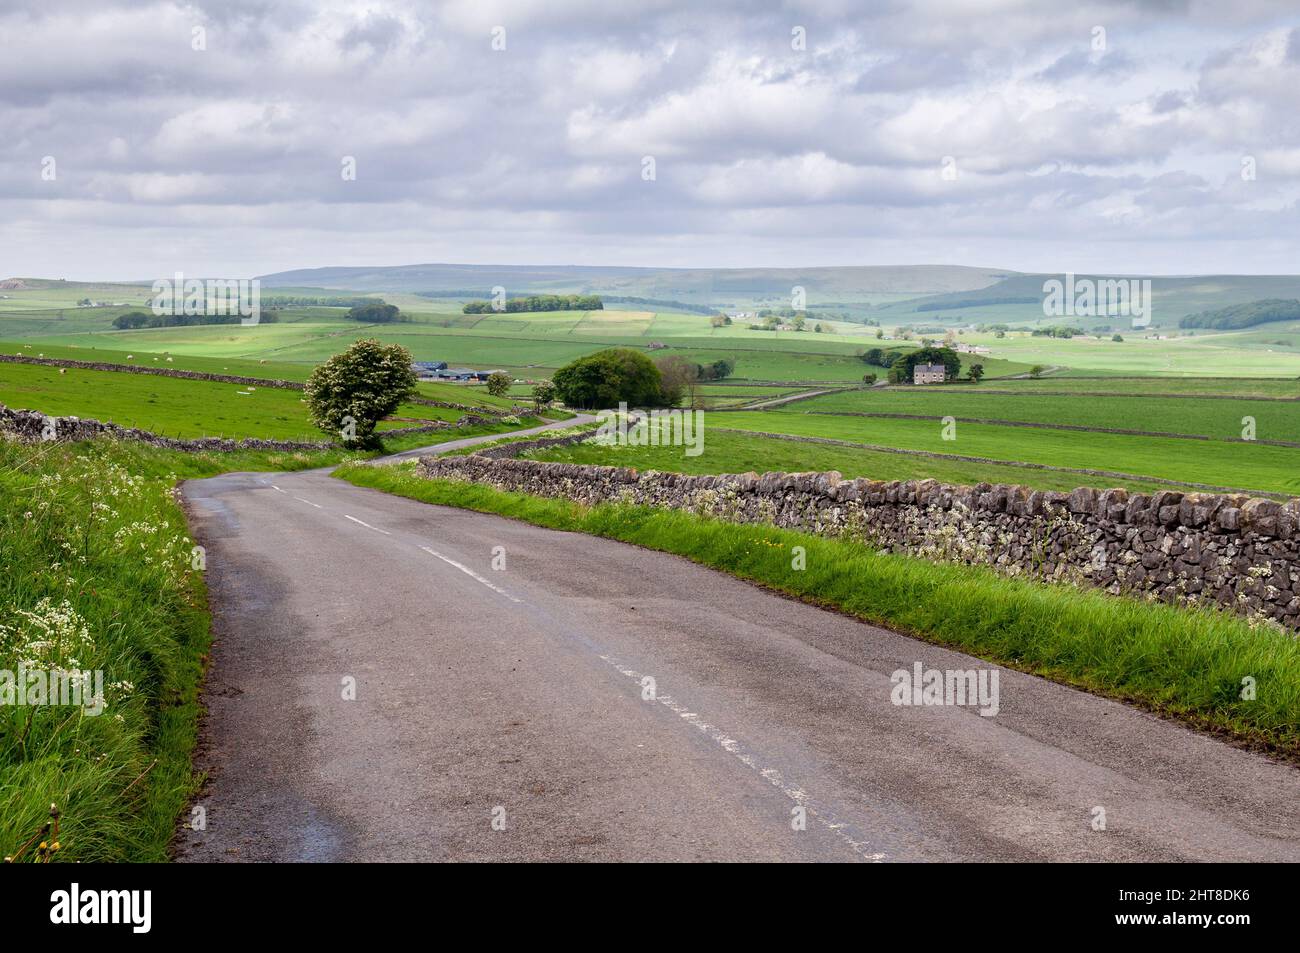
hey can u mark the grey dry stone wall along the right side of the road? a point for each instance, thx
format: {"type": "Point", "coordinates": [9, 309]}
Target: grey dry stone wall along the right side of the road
{"type": "Point", "coordinates": [1232, 551]}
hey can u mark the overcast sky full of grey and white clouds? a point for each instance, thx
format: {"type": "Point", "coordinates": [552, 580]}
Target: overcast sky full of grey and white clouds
{"type": "Point", "coordinates": [214, 138]}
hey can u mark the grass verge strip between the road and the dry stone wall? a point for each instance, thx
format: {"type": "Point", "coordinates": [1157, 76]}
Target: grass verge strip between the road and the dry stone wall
{"type": "Point", "coordinates": [1185, 664]}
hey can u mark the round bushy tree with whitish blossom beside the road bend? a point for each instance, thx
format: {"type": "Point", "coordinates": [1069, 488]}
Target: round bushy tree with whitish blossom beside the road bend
{"type": "Point", "coordinates": [354, 391]}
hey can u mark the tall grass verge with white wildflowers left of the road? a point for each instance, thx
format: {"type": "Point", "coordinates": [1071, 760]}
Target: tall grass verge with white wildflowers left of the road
{"type": "Point", "coordinates": [98, 569]}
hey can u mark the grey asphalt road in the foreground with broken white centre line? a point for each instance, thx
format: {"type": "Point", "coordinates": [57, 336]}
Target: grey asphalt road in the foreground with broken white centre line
{"type": "Point", "coordinates": [505, 714]}
